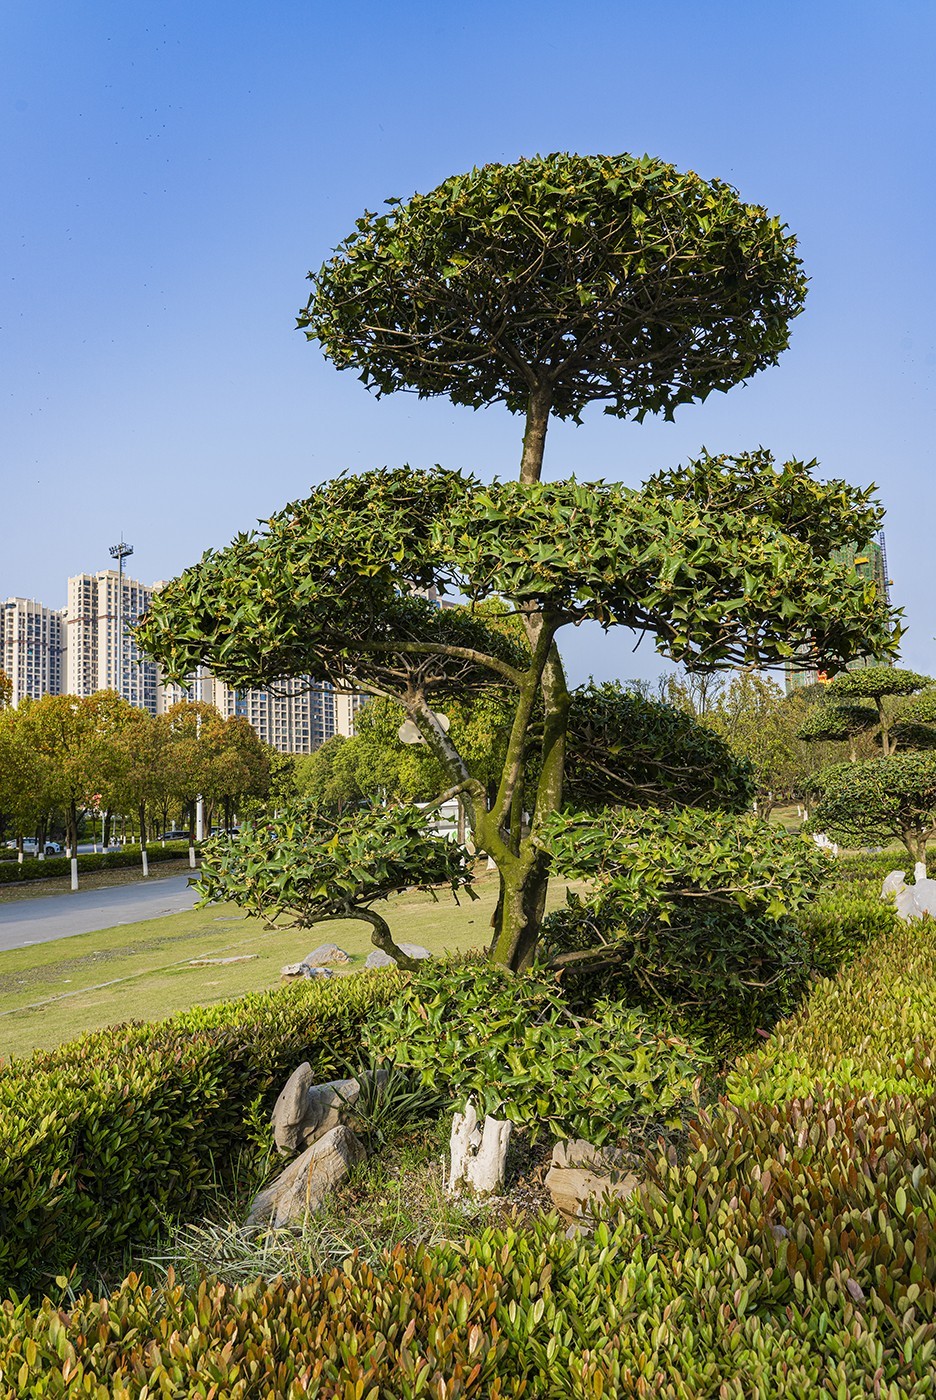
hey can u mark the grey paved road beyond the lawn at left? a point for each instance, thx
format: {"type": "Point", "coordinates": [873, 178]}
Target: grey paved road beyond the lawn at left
{"type": "Point", "coordinates": [59, 916]}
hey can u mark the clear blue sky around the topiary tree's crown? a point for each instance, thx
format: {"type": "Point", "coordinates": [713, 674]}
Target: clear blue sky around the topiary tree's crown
{"type": "Point", "coordinates": [173, 169]}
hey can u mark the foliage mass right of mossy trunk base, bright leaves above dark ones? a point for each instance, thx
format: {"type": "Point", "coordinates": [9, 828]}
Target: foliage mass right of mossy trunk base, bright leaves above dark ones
{"type": "Point", "coordinates": [690, 911]}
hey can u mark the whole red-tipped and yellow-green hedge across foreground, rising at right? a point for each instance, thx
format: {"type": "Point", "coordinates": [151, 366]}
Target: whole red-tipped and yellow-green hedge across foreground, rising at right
{"type": "Point", "coordinates": [788, 1252]}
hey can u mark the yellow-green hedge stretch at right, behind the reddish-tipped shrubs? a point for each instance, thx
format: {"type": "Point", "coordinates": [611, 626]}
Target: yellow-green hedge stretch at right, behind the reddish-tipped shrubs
{"type": "Point", "coordinates": [871, 1031]}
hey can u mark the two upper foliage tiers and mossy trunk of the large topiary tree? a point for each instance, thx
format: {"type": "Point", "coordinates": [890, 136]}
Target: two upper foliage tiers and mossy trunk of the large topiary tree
{"type": "Point", "coordinates": [544, 286]}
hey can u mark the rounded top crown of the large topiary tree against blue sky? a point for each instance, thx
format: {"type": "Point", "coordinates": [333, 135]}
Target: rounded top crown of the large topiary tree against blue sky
{"type": "Point", "coordinates": [611, 278]}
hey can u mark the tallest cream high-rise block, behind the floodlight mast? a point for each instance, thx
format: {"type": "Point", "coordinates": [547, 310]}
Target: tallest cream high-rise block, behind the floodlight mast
{"type": "Point", "coordinates": [101, 653]}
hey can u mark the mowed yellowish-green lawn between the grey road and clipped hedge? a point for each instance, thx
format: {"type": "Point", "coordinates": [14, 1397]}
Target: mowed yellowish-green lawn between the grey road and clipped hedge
{"type": "Point", "coordinates": [54, 992]}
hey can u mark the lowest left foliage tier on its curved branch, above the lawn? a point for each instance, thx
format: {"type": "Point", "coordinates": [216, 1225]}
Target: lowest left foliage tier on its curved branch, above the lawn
{"type": "Point", "coordinates": [297, 869]}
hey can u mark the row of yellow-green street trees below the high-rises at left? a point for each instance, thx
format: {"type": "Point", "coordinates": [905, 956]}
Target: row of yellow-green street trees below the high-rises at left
{"type": "Point", "coordinates": [64, 757]}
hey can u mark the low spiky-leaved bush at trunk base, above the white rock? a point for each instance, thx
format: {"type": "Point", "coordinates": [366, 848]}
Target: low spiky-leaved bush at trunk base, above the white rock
{"type": "Point", "coordinates": [514, 1045]}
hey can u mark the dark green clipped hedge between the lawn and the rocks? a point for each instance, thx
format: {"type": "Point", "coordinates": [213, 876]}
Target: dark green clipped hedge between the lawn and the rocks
{"type": "Point", "coordinates": [106, 1137]}
